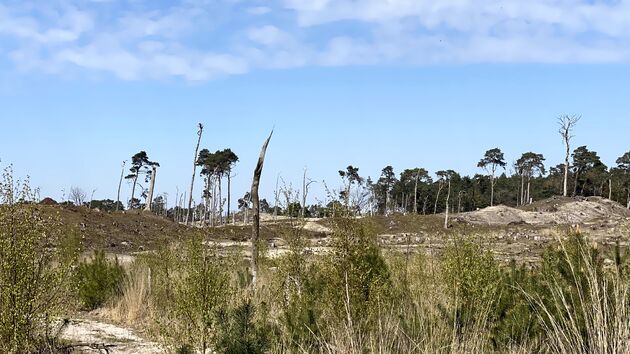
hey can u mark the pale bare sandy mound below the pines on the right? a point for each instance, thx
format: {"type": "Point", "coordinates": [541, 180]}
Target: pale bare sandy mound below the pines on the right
{"type": "Point", "coordinates": [549, 212]}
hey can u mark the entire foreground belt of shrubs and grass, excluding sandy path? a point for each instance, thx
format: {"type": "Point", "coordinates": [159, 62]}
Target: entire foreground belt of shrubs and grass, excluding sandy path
{"type": "Point", "coordinates": [359, 297]}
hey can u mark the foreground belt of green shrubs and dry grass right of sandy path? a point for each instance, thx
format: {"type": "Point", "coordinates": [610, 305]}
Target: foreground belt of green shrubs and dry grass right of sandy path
{"type": "Point", "coordinates": [361, 299]}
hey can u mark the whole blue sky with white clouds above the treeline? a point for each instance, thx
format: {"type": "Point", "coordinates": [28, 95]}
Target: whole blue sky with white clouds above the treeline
{"type": "Point", "coordinates": [86, 84]}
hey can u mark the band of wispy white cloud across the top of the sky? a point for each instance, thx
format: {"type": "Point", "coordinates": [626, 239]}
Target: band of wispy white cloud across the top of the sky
{"type": "Point", "coordinates": [201, 40]}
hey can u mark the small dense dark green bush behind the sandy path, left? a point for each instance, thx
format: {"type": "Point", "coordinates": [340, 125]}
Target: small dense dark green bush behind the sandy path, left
{"type": "Point", "coordinates": [99, 280]}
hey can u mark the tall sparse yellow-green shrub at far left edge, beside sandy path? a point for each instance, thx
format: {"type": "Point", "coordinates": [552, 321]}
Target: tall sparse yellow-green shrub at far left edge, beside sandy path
{"type": "Point", "coordinates": [37, 256]}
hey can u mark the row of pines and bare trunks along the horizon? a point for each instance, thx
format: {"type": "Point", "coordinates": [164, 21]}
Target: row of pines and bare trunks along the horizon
{"type": "Point", "coordinates": [414, 190]}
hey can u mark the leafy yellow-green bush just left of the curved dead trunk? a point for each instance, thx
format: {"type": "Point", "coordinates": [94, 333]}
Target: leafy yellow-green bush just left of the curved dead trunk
{"type": "Point", "coordinates": [192, 285]}
